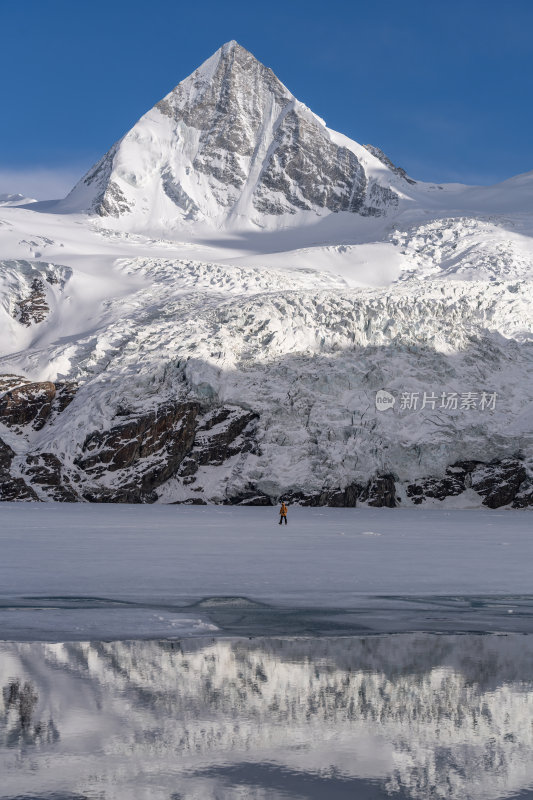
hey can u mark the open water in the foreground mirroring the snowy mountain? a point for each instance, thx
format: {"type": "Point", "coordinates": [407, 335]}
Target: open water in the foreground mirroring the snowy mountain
{"type": "Point", "coordinates": [407, 716]}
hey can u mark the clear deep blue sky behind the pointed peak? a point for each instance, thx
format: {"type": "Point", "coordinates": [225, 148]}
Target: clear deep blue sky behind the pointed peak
{"type": "Point", "coordinates": [444, 87]}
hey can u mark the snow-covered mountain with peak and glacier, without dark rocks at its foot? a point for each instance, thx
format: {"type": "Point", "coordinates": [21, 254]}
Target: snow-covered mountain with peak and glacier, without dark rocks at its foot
{"type": "Point", "coordinates": [231, 250]}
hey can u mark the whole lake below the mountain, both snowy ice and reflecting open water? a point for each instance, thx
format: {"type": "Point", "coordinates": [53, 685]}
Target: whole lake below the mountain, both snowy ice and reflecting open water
{"type": "Point", "coordinates": [202, 653]}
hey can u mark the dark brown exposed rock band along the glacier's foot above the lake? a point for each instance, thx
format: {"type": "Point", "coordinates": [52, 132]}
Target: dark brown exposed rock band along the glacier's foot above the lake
{"type": "Point", "coordinates": [141, 452]}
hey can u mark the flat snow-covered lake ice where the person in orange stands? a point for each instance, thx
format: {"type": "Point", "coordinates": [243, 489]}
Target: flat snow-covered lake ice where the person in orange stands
{"type": "Point", "coordinates": [79, 572]}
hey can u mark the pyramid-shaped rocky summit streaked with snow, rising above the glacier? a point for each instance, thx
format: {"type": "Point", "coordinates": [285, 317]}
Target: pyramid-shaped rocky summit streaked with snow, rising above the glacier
{"type": "Point", "coordinates": [229, 146]}
